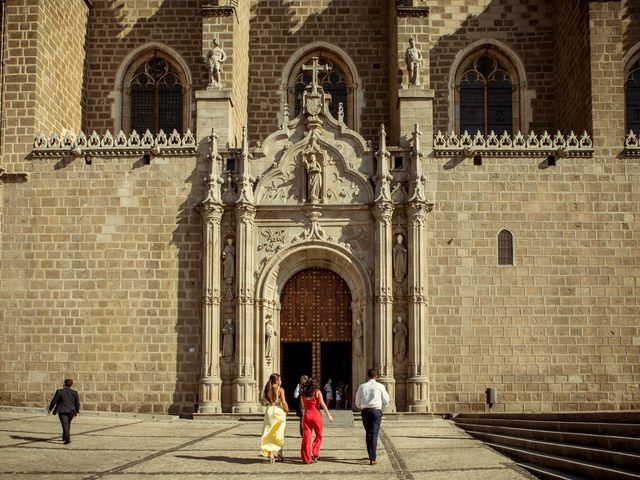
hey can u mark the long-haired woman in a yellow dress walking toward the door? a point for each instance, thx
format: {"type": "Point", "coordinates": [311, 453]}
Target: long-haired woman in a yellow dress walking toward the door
{"type": "Point", "coordinates": [275, 417]}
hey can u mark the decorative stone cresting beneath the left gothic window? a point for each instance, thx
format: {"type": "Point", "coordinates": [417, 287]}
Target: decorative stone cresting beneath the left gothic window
{"type": "Point", "coordinates": [121, 144]}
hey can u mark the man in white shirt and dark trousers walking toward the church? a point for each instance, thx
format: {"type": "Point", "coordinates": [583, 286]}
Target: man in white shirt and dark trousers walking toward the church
{"type": "Point", "coordinates": [370, 398]}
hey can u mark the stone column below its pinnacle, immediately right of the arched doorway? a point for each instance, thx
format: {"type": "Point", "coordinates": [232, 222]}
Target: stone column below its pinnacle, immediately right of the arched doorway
{"type": "Point", "coordinates": [383, 299]}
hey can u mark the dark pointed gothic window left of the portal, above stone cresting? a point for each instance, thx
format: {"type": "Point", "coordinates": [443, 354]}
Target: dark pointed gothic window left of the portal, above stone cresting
{"type": "Point", "coordinates": [155, 95]}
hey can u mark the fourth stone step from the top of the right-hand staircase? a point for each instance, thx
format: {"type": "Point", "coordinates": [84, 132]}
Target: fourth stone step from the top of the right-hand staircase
{"type": "Point", "coordinates": [586, 469]}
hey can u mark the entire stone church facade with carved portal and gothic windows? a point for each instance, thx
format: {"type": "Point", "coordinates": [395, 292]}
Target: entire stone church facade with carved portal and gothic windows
{"type": "Point", "coordinates": [197, 194]}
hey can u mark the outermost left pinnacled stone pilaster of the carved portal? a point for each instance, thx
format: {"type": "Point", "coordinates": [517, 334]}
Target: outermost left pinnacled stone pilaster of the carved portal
{"type": "Point", "coordinates": [211, 211]}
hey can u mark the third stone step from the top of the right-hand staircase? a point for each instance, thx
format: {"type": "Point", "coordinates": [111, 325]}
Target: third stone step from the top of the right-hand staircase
{"type": "Point", "coordinates": [594, 455]}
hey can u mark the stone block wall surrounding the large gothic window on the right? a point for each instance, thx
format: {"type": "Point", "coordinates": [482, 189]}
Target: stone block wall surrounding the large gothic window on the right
{"type": "Point", "coordinates": [524, 26]}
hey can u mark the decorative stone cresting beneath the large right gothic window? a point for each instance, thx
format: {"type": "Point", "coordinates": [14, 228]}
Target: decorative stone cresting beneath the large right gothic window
{"type": "Point", "coordinates": [513, 145]}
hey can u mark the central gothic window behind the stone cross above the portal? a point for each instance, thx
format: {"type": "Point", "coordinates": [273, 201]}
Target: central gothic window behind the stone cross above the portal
{"type": "Point", "coordinates": [337, 82]}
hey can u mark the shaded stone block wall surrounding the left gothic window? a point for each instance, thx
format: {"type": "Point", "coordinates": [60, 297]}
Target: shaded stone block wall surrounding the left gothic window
{"type": "Point", "coordinates": [117, 29]}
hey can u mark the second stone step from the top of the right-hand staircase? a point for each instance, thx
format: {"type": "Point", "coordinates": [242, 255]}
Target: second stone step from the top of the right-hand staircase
{"type": "Point", "coordinates": [611, 442]}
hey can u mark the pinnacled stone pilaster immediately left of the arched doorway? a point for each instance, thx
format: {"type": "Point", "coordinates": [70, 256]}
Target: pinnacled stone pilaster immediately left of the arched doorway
{"type": "Point", "coordinates": [245, 386]}
